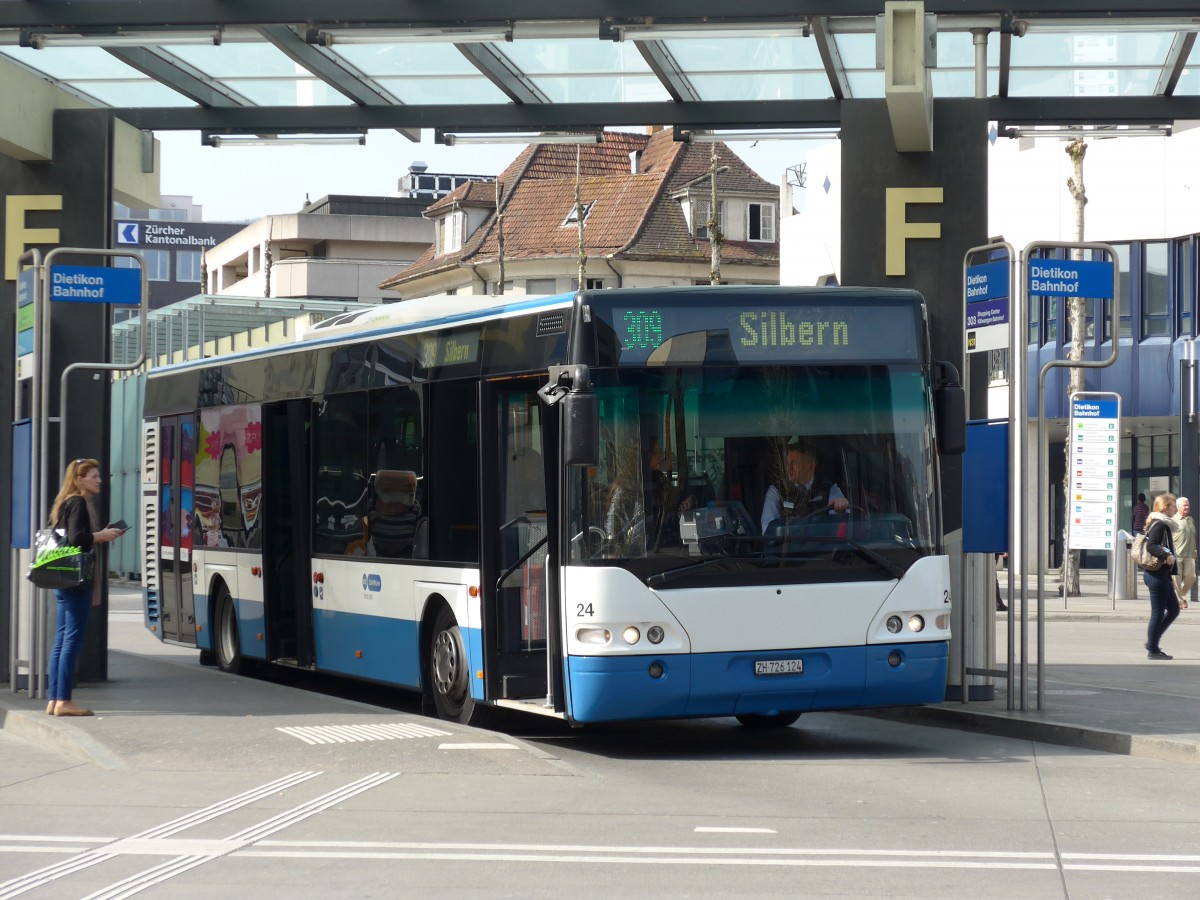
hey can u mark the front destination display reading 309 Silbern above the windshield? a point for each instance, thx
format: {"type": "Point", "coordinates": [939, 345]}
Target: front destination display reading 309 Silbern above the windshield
{"type": "Point", "coordinates": [664, 335]}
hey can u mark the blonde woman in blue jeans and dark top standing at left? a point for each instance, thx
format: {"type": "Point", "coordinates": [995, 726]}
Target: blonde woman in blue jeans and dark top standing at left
{"type": "Point", "coordinates": [75, 513]}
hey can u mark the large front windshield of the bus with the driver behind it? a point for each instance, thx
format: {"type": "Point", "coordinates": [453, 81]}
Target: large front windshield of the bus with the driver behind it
{"type": "Point", "coordinates": [759, 475]}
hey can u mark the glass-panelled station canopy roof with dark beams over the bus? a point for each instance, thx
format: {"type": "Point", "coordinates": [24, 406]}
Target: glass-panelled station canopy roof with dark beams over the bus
{"type": "Point", "coordinates": [281, 70]}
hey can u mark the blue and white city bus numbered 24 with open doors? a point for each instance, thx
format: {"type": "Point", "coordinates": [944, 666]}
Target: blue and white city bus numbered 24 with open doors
{"type": "Point", "coordinates": [556, 505]}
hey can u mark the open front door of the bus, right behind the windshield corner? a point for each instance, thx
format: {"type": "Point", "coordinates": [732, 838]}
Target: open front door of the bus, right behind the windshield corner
{"type": "Point", "coordinates": [517, 565]}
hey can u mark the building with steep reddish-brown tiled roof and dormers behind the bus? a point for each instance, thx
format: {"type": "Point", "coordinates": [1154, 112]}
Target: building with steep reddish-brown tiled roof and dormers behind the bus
{"type": "Point", "coordinates": [646, 202]}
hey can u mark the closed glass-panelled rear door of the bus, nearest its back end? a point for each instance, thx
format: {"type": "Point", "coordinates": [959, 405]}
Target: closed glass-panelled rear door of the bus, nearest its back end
{"type": "Point", "coordinates": [177, 485]}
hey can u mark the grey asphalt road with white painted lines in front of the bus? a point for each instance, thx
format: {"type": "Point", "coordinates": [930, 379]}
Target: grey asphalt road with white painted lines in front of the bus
{"type": "Point", "coordinates": [837, 806]}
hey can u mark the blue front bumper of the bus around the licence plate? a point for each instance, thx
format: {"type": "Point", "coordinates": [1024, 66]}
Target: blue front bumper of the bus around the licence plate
{"type": "Point", "coordinates": [607, 688]}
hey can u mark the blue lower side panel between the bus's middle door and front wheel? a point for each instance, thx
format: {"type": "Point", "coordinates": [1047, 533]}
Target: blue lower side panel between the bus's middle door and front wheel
{"type": "Point", "coordinates": [388, 647]}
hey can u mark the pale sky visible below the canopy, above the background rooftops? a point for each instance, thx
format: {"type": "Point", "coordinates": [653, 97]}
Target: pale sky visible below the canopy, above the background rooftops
{"type": "Point", "coordinates": [237, 184]}
